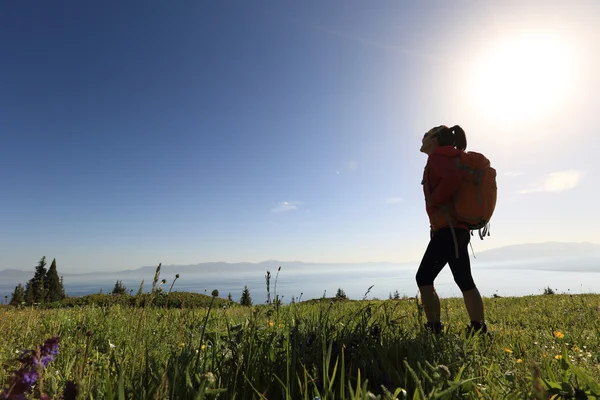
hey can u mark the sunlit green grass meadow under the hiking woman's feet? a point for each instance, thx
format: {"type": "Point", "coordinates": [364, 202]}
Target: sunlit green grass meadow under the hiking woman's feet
{"type": "Point", "coordinates": [539, 346]}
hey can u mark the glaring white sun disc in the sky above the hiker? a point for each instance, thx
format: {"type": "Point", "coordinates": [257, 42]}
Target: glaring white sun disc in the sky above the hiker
{"type": "Point", "coordinates": [522, 79]}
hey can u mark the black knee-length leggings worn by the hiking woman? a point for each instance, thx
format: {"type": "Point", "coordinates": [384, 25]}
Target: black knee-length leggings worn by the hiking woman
{"type": "Point", "coordinates": [441, 251]}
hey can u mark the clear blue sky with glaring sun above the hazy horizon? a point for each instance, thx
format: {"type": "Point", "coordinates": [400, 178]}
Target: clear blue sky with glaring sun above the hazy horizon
{"type": "Point", "coordinates": [135, 133]}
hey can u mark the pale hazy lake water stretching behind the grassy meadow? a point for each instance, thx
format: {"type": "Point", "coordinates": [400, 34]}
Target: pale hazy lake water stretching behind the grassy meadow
{"type": "Point", "coordinates": [313, 281]}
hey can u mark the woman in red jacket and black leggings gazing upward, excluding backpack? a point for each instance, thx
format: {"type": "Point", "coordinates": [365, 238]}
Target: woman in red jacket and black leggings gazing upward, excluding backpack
{"type": "Point", "coordinates": [441, 180]}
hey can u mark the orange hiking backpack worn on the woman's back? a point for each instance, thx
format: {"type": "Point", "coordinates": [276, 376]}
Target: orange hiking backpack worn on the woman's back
{"type": "Point", "coordinates": [475, 200]}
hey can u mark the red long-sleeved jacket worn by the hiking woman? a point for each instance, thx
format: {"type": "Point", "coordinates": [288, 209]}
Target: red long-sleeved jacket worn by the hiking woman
{"type": "Point", "coordinates": [441, 180]}
